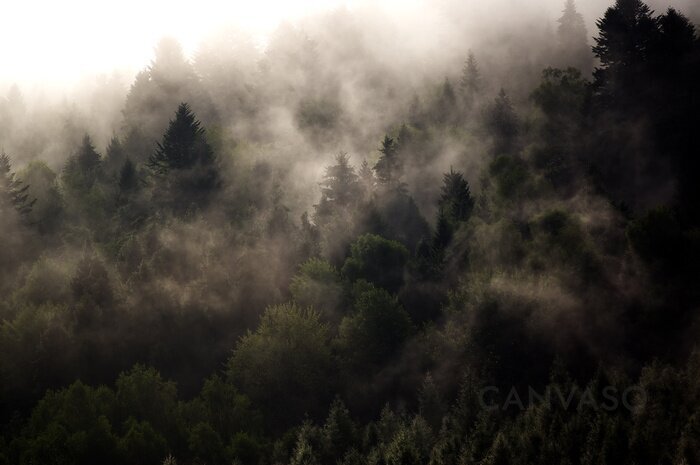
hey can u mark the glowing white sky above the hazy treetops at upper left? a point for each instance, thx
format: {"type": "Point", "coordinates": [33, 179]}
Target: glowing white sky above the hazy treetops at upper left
{"type": "Point", "coordinates": [50, 41]}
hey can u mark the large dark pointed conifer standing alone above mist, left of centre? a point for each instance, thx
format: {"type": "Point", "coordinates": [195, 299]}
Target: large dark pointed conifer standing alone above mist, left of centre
{"type": "Point", "coordinates": [184, 165]}
